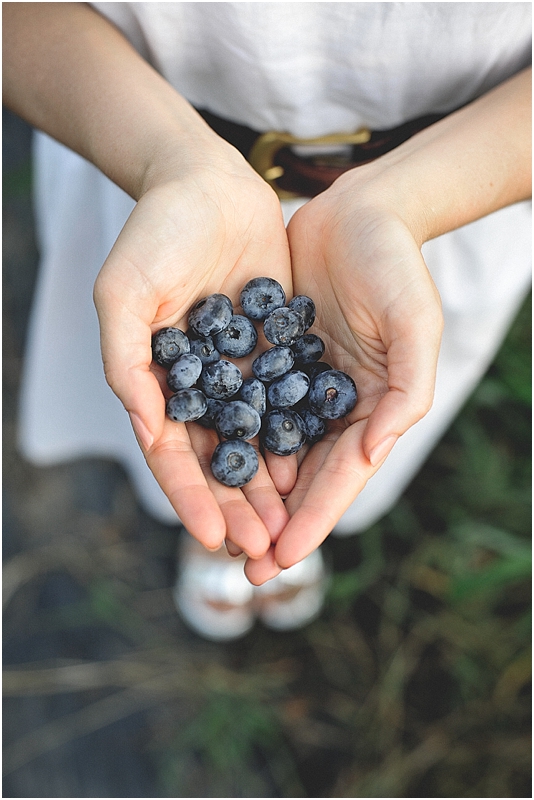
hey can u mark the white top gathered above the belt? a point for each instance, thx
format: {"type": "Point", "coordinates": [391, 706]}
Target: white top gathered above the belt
{"type": "Point", "coordinates": [318, 68]}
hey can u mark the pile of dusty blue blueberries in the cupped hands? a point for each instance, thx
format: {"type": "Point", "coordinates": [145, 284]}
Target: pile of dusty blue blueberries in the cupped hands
{"type": "Point", "coordinates": [287, 400]}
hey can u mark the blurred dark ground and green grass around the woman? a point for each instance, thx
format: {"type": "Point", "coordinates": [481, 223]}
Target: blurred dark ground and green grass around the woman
{"type": "Point", "coordinates": [415, 681]}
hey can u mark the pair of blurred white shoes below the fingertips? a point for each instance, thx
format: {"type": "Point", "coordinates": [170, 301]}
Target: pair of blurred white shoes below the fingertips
{"type": "Point", "coordinates": [216, 600]}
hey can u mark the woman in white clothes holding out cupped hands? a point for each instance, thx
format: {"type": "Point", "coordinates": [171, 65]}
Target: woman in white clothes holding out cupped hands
{"type": "Point", "coordinates": [198, 219]}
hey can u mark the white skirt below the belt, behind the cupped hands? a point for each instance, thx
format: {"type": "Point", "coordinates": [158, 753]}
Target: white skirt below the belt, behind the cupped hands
{"type": "Point", "coordinates": [67, 410]}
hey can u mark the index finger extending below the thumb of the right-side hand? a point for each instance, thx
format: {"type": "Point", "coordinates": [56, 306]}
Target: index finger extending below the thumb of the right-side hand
{"type": "Point", "coordinates": [342, 475]}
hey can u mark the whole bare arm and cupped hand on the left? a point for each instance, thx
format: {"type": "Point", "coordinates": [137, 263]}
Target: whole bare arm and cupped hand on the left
{"type": "Point", "coordinates": [204, 222]}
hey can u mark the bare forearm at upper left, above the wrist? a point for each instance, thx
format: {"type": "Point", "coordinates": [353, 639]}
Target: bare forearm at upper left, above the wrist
{"type": "Point", "coordinates": [70, 73]}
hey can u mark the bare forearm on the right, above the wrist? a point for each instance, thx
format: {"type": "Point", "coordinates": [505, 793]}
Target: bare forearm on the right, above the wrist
{"type": "Point", "coordinates": [469, 164]}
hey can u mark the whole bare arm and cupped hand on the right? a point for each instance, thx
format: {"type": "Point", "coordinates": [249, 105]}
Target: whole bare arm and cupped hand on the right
{"type": "Point", "coordinates": [356, 250]}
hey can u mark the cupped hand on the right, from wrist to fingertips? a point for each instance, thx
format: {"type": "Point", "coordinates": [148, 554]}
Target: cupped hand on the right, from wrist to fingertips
{"type": "Point", "coordinates": [379, 315]}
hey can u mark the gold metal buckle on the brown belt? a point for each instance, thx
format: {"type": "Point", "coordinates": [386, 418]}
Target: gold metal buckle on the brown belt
{"type": "Point", "coordinates": [268, 144]}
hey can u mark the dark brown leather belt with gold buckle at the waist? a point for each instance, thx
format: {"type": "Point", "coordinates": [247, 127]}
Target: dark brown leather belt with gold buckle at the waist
{"type": "Point", "coordinates": [292, 175]}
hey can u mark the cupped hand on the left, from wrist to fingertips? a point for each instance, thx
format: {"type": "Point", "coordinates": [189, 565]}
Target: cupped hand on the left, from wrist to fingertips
{"type": "Point", "coordinates": [210, 228]}
